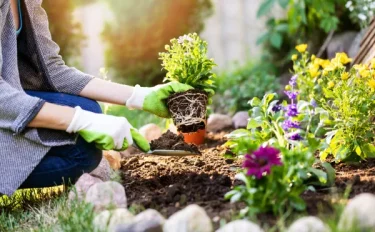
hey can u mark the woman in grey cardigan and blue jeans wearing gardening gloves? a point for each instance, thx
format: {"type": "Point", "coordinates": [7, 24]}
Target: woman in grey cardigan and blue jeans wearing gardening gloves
{"type": "Point", "coordinates": [51, 127]}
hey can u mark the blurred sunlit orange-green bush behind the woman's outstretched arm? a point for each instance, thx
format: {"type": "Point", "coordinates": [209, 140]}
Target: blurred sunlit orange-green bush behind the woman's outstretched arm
{"type": "Point", "coordinates": [134, 40]}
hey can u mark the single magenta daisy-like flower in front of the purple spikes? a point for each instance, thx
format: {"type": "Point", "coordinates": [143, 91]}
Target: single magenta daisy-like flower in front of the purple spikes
{"type": "Point", "coordinates": [261, 161]}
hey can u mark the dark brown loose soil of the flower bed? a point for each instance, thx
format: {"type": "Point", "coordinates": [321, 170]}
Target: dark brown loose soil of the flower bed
{"type": "Point", "coordinates": [168, 184]}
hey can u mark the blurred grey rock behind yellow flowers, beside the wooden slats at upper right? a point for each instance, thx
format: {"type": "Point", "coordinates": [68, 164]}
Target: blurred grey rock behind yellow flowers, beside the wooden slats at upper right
{"type": "Point", "coordinates": [341, 43]}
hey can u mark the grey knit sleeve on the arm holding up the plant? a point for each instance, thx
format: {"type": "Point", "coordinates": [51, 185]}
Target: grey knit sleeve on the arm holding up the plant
{"type": "Point", "coordinates": [64, 79]}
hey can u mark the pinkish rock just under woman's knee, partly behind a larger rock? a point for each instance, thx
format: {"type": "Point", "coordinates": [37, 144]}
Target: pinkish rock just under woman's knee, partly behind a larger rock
{"type": "Point", "coordinates": [82, 186]}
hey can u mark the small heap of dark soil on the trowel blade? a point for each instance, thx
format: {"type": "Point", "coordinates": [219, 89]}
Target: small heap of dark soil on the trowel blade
{"type": "Point", "coordinates": [171, 141]}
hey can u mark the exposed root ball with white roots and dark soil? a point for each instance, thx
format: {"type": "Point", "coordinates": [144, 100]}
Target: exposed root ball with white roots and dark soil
{"type": "Point", "coordinates": [188, 110]}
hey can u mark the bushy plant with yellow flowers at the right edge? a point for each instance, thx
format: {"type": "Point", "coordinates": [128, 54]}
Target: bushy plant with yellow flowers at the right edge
{"type": "Point", "coordinates": [346, 101]}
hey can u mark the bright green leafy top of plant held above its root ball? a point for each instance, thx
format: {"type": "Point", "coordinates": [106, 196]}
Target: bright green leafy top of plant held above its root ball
{"type": "Point", "coordinates": [186, 62]}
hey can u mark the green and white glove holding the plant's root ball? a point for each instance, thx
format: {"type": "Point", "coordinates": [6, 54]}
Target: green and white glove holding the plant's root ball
{"type": "Point", "coordinates": [153, 99]}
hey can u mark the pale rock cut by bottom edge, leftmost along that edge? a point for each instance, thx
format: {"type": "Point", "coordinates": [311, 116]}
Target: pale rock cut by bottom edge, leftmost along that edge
{"type": "Point", "coordinates": [109, 220]}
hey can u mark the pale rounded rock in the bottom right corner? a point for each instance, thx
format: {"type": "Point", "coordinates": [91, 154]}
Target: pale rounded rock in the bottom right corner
{"type": "Point", "coordinates": [359, 214]}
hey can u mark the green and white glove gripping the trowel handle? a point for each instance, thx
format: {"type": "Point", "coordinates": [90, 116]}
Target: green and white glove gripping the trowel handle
{"type": "Point", "coordinates": [106, 131]}
